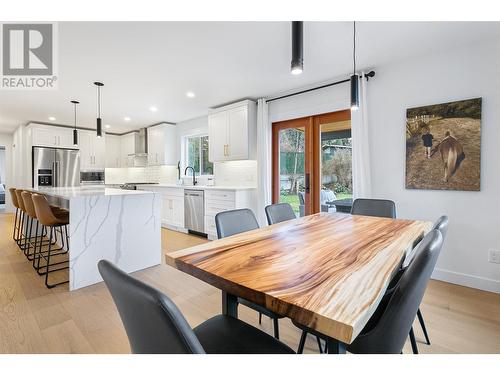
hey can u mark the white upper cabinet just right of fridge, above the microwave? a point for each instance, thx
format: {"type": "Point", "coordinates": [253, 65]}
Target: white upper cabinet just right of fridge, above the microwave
{"type": "Point", "coordinates": [92, 150]}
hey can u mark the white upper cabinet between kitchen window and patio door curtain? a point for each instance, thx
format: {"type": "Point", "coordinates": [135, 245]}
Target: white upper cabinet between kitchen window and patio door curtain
{"type": "Point", "coordinates": [232, 132]}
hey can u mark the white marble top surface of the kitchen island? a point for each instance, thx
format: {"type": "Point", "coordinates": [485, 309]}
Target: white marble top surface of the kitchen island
{"type": "Point", "coordinates": [82, 191]}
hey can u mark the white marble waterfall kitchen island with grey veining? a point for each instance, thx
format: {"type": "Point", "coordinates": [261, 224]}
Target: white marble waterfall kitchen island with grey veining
{"type": "Point", "coordinates": [122, 226]}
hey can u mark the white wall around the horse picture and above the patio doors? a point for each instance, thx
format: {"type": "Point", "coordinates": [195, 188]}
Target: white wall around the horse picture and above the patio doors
{"type": "Point", "coordinates": [467, 72]}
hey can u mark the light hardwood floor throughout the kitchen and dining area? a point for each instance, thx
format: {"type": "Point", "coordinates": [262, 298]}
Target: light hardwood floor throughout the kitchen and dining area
{"type": "Point", "coordinates": [34, 319]}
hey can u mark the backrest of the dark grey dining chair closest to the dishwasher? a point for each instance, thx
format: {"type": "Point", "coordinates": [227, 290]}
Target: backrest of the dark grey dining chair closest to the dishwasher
{"type": "Point", "coordinates": [233, 222]}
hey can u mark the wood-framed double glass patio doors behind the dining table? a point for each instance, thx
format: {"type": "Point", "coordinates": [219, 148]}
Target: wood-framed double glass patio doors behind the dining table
{"type": "Point", "coordinates": [311, 162]}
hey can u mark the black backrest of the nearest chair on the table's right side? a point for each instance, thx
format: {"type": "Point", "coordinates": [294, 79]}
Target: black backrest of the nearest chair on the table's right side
{"type": "Point", "coordinates": [396, 316]}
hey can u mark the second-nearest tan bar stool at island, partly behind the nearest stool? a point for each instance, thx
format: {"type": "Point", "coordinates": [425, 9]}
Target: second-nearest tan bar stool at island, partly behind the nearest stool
{"type": "Point", "coordinates": [32, 219]}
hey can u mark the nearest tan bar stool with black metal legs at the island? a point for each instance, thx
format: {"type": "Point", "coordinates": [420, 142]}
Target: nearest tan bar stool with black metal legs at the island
{"type": "Point", "coordinates": [47, 218]}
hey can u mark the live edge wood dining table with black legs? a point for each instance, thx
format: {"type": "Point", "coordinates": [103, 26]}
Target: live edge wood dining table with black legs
{"type": "Point", "coordinates": [325, 271]}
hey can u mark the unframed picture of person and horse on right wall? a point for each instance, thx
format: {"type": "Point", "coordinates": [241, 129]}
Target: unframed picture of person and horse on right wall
{"type": "Point", "coordinates": [443, 146]}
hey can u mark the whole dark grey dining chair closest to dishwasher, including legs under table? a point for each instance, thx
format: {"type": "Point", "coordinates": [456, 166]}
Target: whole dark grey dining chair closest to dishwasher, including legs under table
{"type": "Point", "coordinates": [233, 222]}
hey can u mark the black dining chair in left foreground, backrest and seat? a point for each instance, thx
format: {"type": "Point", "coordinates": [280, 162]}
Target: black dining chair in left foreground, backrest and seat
{"type": "Point", "coordinates": [154, 324]}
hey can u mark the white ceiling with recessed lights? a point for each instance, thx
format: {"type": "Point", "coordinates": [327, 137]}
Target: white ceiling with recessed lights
{"type": "Point", "coordinates": [145, 64]}
